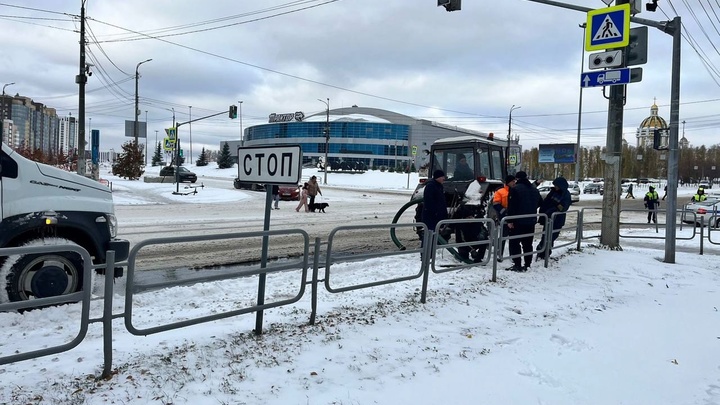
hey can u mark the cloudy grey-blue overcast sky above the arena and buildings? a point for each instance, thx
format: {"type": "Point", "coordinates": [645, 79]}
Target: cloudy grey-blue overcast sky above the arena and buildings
{"type": "Point", "coordinates": [465, 68]}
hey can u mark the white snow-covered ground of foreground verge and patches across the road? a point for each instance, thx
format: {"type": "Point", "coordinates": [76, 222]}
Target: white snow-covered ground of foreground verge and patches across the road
{"type": "Point", "coordinates": [596, 327]}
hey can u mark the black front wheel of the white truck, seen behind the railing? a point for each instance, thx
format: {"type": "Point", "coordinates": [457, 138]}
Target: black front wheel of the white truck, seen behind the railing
{"type": "Point", "coordinates": [44, 275]}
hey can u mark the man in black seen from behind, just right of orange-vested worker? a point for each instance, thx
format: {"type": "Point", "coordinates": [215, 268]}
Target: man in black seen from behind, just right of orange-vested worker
{"type": "Point", "coordinates": [524, 199]}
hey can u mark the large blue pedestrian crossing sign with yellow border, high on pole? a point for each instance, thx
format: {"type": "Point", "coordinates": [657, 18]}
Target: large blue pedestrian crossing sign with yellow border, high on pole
{"type": "Point", "coordinates": [608, 28]}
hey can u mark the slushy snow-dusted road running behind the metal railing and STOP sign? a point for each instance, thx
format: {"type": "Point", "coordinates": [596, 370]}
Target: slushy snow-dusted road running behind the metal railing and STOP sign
{"type": "Point", "coordinates": [348, 207]}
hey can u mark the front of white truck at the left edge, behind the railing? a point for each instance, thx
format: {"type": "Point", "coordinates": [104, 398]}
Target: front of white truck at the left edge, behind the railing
{"type": "Point", "coordinates": [41, 204]}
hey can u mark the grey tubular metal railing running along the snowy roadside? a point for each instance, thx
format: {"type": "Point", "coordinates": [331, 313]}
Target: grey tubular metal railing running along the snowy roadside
{"type": "Point", "coordinates": [431, 243]}
